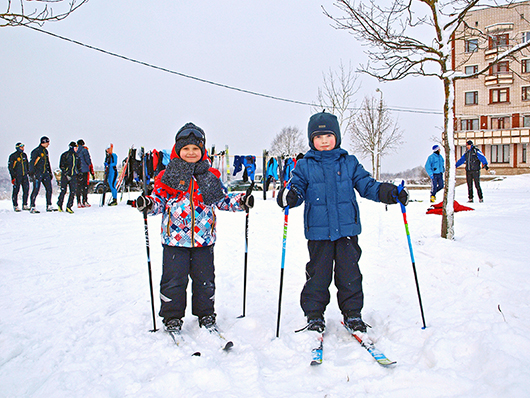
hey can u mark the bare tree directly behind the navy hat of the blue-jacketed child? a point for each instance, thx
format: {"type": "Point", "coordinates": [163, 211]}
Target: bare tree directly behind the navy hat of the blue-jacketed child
{"type": "Point", "coordinates": [337, 95]}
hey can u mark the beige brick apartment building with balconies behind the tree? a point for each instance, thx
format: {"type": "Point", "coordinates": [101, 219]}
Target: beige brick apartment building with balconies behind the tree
{"type": "Point", "coordinates": [493, 108]}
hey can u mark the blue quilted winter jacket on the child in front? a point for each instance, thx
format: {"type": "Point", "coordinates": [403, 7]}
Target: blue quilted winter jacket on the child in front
{"type": "Point", "coordinates": [325, 180]}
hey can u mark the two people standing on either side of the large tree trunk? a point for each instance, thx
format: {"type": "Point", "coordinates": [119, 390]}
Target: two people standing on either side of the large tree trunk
{"type": "Point", "coordinates": [473, 158]}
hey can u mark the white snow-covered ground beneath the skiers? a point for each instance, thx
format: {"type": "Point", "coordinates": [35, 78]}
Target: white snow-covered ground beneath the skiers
{"type": "Point", "coordinates": [75, 309]}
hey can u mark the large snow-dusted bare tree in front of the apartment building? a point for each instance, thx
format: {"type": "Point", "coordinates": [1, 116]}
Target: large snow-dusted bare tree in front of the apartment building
{"type": "Point", "coordinates": [414, 38]}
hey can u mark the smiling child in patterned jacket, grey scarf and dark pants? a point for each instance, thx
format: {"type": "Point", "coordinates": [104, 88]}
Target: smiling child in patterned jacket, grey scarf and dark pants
{"type": "Point", "coordinates": [186, 193]}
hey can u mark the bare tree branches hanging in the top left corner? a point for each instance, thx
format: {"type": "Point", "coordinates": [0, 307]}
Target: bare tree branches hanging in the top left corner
{"type": "Point", "coordinates": [30, 12]}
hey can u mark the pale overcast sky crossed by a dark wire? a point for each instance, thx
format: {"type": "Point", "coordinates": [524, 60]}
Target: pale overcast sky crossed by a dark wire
{"type": "Point", "coordinates": [280, 48]}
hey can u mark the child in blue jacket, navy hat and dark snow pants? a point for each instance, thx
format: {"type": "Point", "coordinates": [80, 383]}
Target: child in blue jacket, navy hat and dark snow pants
{"type": "Point", "coordinates": [326, 180]}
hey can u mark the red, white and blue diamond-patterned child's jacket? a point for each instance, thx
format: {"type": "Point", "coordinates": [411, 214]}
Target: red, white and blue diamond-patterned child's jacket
{"type": "Point", "coordinates": [186, 220]}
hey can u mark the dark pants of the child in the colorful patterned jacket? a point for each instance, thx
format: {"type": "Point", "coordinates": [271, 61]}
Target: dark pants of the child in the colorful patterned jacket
{"type": "Point", "coordinates": [178, 264]}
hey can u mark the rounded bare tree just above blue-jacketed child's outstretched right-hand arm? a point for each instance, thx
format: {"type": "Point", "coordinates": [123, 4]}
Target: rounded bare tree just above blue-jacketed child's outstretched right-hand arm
{"type": "Point", "coordinates": [374, 133]}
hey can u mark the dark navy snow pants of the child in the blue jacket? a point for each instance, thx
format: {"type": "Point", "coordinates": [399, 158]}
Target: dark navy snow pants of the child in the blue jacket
{"type": "Point", "coordinates": [340, 257]}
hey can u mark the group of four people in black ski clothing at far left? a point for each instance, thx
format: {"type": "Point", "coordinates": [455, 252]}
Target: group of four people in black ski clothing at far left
{"type": "Point", "coordinates": [75, 165]}
